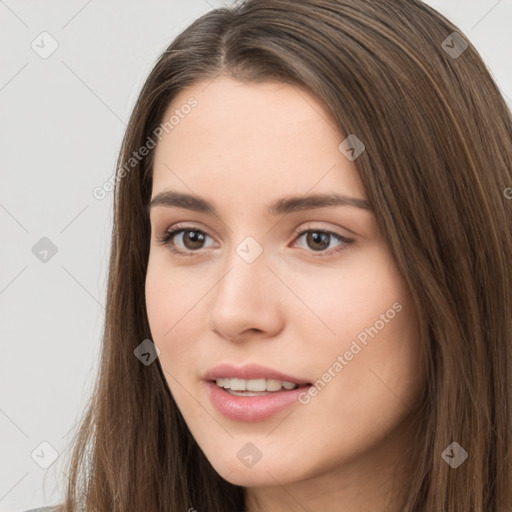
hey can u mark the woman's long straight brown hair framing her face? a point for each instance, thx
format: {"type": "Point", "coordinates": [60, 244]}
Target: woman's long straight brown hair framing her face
{"type": "Point", "coordinates": [436, 169]}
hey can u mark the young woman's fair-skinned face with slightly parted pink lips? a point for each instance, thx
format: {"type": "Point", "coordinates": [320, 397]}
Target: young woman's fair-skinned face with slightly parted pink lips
{"type": "Point", "coordinates": [326, 307]}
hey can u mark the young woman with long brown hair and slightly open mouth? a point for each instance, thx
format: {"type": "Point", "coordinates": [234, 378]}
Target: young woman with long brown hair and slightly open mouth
{"type": "Point", "coordinates": [246, 367]}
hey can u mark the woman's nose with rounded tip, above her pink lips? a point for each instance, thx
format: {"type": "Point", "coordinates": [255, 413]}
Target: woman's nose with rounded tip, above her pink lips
{"type": "Point", "coordinates": [246, 301]}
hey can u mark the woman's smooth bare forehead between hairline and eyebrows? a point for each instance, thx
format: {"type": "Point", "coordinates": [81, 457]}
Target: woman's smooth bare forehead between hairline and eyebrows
{"type": "Point", "coordinates": [252, 139]}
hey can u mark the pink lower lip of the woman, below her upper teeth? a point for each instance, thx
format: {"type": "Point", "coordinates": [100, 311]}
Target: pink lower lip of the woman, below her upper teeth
{"type": "Point", "coordinates": [252, 408]}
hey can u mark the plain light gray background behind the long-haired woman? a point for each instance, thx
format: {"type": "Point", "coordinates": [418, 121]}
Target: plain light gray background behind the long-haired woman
{"type": "Point", "coordinates": [62, 121]}
